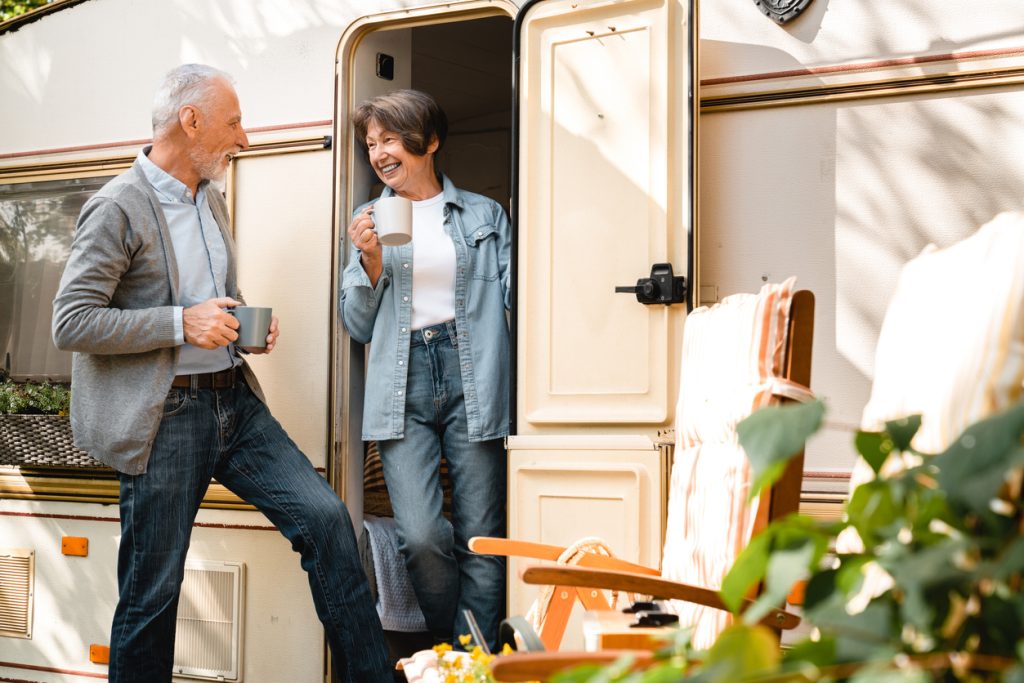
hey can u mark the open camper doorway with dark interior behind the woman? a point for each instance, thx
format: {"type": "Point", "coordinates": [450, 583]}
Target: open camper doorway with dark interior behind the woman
{"type": "Point", "coordinates": [462, 56]}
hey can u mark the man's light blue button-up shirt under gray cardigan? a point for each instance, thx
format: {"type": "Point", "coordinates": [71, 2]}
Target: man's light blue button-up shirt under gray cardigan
{"type": "Point", "coordinates": [202, 260]}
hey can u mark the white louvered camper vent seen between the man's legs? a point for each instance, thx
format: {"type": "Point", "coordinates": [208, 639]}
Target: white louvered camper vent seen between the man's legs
{"type": "Point", "coordinates": [208, 642]}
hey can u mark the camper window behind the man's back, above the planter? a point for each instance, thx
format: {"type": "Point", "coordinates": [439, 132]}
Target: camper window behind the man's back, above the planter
{"type": "Point", "coordinates": [37, 224]}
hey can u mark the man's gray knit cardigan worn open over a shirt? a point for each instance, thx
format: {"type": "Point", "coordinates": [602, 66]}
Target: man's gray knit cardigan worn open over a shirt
{"type": "Point", "coordinates": [115, 310]}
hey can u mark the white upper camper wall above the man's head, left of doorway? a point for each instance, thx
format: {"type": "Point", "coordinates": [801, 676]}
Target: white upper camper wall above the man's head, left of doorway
{"type": "Point", "coordinates": [282, 57]}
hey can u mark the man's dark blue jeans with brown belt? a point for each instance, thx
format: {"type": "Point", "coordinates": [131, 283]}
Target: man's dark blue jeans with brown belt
{"type": "Point", "coordinates": [231, 435]}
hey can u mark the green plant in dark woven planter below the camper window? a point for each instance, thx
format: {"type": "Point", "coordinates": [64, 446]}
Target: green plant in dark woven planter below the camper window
{"type": "Point", "coordinates": [35, 430]}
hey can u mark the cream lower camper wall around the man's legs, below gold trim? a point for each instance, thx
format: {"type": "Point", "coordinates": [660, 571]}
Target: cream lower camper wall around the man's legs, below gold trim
{"type": "Point", "coordinates": [75, 596]}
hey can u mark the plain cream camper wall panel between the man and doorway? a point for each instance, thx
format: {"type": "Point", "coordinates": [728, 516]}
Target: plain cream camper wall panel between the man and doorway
{"type": "Point", "coordinates": [285, 199]}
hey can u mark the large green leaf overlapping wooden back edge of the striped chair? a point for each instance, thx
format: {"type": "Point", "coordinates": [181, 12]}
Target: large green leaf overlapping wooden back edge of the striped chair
{"type": "Point", "coordinates": [773, 436]}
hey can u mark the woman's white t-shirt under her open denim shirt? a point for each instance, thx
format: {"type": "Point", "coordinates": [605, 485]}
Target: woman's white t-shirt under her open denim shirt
{"type": "Point", "coordinates": [434, 265]}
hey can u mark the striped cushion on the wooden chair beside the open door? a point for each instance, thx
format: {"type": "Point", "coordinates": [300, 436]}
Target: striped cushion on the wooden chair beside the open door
{"type": "Point", "coordinates": [733, 353]}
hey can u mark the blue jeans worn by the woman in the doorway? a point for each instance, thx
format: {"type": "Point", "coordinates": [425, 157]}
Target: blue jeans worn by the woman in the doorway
{"type": "Point", "coordinates": [447, 577]}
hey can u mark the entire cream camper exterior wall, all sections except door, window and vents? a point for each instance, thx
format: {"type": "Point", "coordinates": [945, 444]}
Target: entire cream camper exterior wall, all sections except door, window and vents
{"type": "Point", "coordinates": [839, 192]}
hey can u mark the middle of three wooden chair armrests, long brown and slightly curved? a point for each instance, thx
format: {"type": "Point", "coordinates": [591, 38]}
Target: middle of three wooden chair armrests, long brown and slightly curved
{"type": "Point", "coordinates": [646, 585]}
